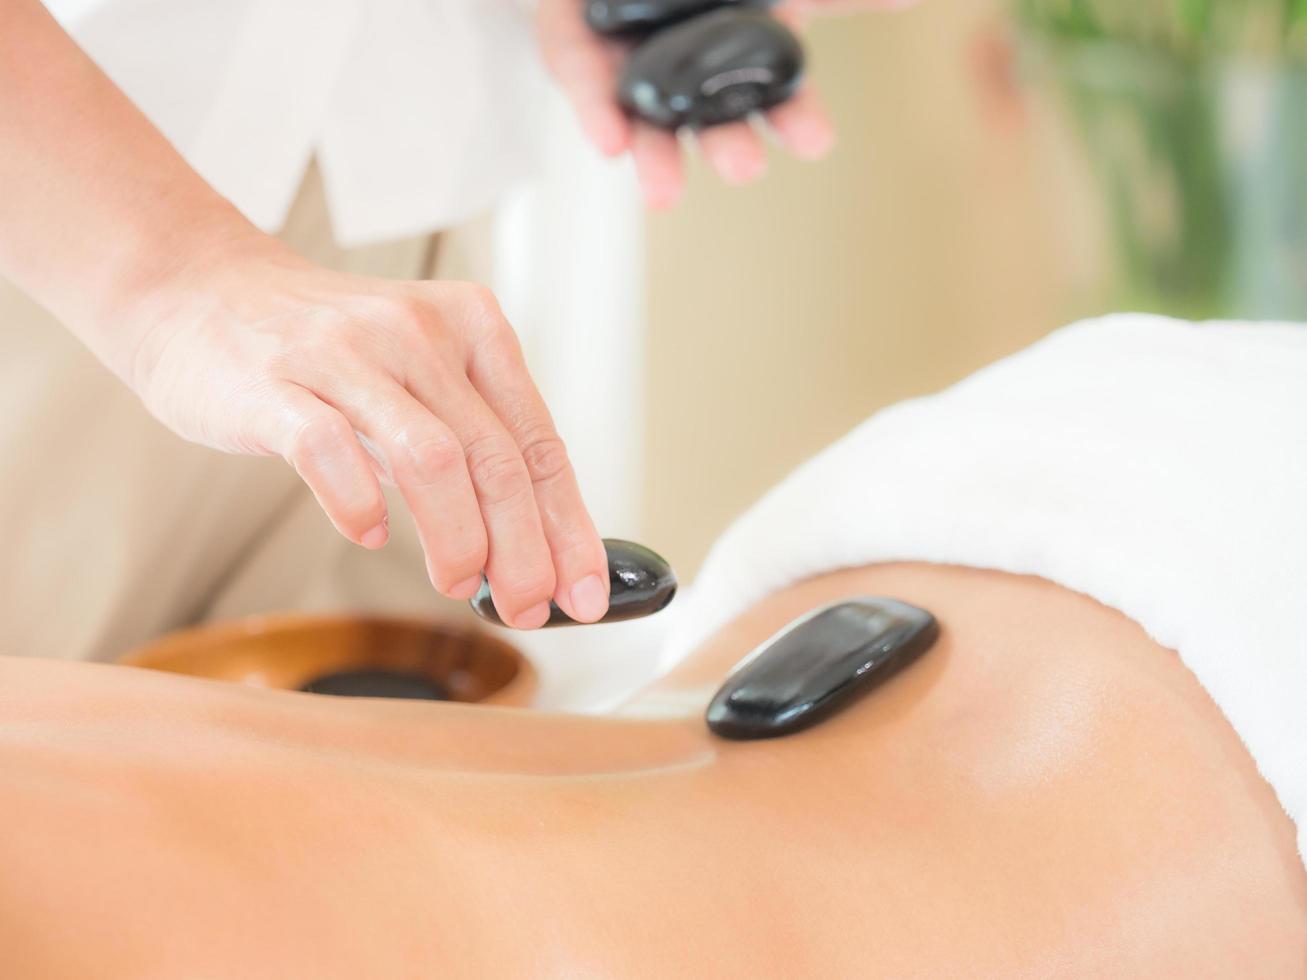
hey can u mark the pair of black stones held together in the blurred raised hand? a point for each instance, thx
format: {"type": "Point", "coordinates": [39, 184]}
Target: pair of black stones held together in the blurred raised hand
{"type": "Point", "coordinates": [701, 63]}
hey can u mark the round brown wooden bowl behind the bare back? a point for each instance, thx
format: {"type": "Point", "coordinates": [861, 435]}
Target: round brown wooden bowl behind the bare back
{"type": "Point", "coordinates": [291, 651]}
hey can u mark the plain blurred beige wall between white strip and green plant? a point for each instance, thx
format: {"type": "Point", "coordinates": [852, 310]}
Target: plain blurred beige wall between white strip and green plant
{"type": "Point", "coordinates": [948, 231]}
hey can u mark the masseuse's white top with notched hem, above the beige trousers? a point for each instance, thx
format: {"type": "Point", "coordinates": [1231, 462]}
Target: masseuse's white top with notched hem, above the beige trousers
{"type": "Point", "coordinates": [419, 112]}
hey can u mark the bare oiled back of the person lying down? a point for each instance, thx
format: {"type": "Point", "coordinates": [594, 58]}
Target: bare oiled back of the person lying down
{"type": "Point", "coordinates": [1048, 792]}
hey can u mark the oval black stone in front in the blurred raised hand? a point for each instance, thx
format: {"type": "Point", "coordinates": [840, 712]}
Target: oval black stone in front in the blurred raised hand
{"type": "Point", "coordinates": [712, 70]}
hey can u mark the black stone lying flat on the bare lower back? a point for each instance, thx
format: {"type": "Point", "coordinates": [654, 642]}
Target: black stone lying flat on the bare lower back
{"type": "Point", "coordinates": [818, 666]}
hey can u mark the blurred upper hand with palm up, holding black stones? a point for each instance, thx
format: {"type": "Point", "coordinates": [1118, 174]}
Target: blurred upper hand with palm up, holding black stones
{"type": "Point", "coordinates": [587, 69]}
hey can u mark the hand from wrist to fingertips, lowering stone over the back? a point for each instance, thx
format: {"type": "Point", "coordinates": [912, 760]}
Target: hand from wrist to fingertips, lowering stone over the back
{"type": "Point", "coordinates": [279, 357]}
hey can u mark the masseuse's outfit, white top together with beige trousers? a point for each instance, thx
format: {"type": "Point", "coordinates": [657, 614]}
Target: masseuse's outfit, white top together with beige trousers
{"type": "Point", "coordinates": [117, 531]}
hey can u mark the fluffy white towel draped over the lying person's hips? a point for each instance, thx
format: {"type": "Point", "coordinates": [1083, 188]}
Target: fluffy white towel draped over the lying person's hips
{"type": "Point", "coordinates": [1159, 467]}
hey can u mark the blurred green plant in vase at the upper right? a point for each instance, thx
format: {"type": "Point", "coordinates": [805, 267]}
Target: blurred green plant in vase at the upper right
{"type": "Point", "coordinates": [1194, 116]}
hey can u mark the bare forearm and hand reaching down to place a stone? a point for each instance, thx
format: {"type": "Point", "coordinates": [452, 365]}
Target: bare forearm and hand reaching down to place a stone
{"type": "Point", "coordinates": [235, 342]}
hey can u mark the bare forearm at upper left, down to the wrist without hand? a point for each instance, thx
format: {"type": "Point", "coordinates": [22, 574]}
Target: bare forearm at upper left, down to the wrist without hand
{"type": "Point", "coordinates": [96, 206]}
